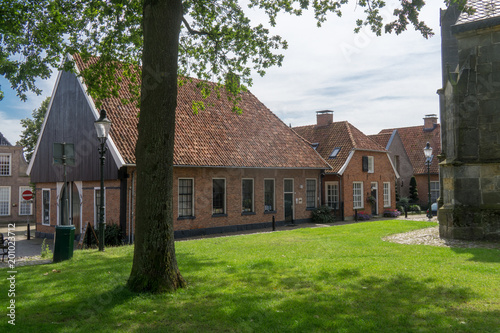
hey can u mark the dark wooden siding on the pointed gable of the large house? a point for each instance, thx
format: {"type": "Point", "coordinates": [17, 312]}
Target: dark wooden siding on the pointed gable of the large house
{"type": "Point", "coordinates": [71, 120]}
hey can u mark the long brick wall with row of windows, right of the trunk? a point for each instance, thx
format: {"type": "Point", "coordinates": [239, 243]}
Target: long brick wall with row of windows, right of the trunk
{"type": "Point", "coordinates": [203, 195]}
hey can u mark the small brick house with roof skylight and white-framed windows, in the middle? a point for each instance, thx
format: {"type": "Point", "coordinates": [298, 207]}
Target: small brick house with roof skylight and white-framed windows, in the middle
{"type": "Point", "coordinates": [362, 177]}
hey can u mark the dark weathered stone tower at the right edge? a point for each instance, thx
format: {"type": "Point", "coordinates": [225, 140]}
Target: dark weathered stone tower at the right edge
{"type": "Point", "coordinates": [470, 113]}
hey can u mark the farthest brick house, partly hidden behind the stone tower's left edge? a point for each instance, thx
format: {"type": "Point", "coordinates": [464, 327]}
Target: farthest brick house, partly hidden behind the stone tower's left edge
{"type": "Point", "coordinates": [406, 149]}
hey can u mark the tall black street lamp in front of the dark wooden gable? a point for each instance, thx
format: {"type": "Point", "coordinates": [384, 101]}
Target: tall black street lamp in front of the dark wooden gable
{"type": "Point", "coordinates": [102, 126]}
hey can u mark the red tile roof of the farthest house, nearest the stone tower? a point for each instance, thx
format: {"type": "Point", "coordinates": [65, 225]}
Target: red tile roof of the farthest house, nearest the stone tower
{"type": "Point", "coordinates": [414, 140]}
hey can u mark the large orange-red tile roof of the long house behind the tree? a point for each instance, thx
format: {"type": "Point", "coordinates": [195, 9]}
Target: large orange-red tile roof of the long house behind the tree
{"type": "Point", "coordinates": [216, 136]}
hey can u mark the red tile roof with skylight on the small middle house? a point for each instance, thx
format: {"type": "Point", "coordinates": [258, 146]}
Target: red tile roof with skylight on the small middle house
{"type": "Point", "coordinates": [341, 135]}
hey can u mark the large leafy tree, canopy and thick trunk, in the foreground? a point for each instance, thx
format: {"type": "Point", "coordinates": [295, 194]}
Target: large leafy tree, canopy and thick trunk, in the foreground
{"type": "Point", "coordinates": [210, 39]}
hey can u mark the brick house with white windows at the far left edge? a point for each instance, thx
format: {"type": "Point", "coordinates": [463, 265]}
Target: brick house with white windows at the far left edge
{"type": "Point", "coordinates": [13, 182]}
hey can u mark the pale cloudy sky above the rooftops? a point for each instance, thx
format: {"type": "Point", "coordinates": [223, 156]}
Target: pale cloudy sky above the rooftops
{"type": "Point", "coordinates": [373, 82]}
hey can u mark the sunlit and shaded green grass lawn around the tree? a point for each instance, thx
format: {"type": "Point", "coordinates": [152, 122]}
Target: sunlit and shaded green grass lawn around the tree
{"type": "Point", "coordinates": [337, 279]}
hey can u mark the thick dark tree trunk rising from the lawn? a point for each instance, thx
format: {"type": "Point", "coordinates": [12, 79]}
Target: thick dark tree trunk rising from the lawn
{"type": "Point", "coordinates": [155, 266]}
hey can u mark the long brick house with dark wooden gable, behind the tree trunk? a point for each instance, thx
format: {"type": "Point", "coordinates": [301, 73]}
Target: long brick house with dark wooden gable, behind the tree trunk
{"type": "Point", "coordinates": [231, 171]}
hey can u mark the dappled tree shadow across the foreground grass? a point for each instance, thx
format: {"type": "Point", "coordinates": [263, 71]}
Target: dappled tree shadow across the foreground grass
{"type": "Point", "coordinates": [330, 300]}
